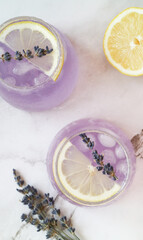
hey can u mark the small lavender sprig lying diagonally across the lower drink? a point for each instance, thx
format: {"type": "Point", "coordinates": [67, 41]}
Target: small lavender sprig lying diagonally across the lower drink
{"type": "Point", "coordinates": [98, 158]}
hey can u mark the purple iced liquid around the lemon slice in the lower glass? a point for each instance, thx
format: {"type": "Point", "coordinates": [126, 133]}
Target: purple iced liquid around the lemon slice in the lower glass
{"type": "Point", "coordinates": [109, 140]}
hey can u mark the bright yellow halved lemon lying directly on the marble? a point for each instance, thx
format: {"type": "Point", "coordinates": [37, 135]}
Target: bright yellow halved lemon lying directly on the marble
{"type": "Point", "coordinates": [123, 42]}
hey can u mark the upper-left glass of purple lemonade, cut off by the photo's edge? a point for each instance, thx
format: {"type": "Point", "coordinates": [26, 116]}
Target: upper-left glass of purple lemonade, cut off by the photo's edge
{"type": "Point", "coordinates": [38, 65]}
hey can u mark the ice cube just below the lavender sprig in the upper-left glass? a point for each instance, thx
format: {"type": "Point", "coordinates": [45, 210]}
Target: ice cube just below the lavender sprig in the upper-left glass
{"type": "Point", "coordinates": [22, 67]}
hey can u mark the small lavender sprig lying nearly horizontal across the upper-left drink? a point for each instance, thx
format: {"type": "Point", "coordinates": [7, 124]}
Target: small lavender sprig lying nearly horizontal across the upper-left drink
{"type": "Point", "coordinates": [39, 52]}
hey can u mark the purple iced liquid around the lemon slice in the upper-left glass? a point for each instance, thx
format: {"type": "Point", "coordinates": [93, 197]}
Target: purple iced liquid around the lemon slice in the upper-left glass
{"type": "Point", "coordinates": [25, 86]}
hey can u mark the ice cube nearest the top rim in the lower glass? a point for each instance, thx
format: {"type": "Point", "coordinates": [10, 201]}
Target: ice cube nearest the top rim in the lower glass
{"type": "Point", "coordinates": [106, 140]}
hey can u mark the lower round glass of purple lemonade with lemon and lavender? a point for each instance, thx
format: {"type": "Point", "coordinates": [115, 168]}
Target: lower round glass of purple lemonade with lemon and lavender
{"type": "Point", "coordinates": [91, 162]}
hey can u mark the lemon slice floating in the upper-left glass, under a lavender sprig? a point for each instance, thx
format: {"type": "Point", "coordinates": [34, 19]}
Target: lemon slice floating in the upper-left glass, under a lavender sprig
{"type": "Point", "coordinates": [27, 34]}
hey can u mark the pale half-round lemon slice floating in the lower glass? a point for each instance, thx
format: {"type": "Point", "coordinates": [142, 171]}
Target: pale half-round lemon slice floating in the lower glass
{"type": "Point", "coordinates": [79, 177]}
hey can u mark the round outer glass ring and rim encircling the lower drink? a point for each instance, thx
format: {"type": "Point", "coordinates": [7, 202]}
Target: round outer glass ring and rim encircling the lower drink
{"type": "Point", "coordinates": [129, 159]}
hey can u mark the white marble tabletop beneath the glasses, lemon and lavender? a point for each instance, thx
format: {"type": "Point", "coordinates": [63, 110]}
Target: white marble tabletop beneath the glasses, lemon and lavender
{"type": "Point", "coordinates": [101, 92]}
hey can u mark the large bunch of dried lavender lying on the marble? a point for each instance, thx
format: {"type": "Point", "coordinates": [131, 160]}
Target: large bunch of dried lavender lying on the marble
{"type": "Point", "coordinates": [43, 213]}
